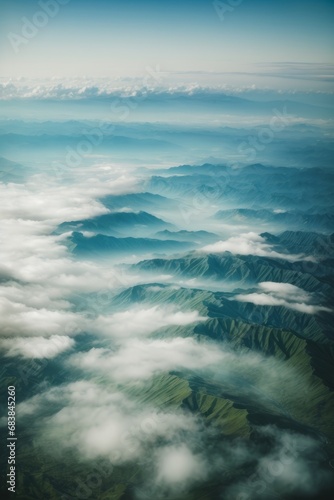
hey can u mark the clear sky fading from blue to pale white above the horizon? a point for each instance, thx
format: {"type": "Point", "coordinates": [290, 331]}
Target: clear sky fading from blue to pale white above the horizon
{"type": "Point", "coordinates": [197, 40]}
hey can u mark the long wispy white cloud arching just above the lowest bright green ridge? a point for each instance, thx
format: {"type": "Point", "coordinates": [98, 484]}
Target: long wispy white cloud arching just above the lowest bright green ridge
{"type": "Point", "coordinates": [135, 361]}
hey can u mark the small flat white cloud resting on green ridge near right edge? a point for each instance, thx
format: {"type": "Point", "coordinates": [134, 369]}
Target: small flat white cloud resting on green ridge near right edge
{"type": "Point", "coordinates": [284, 295]}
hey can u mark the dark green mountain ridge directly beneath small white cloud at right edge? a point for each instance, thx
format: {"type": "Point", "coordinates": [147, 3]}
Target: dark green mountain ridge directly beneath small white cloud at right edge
{"type": "Point", "coordinates": [221, 305]}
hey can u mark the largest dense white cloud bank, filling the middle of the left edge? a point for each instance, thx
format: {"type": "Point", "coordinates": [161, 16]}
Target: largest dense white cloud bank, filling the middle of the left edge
{"type": "Point", "coordinates": [40, 281]}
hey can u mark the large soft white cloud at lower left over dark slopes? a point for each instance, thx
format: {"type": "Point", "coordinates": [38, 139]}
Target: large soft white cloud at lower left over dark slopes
{"type": "Point", "coordinates": [95, 421]}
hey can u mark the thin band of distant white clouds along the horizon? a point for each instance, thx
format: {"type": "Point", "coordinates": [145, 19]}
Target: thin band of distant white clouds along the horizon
{"type": "Point", "coordinates": [179, 83]}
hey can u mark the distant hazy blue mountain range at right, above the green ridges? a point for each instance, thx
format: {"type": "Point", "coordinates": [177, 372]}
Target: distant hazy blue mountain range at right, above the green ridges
{"type": "Point", "coordinates": [253, 187]}
